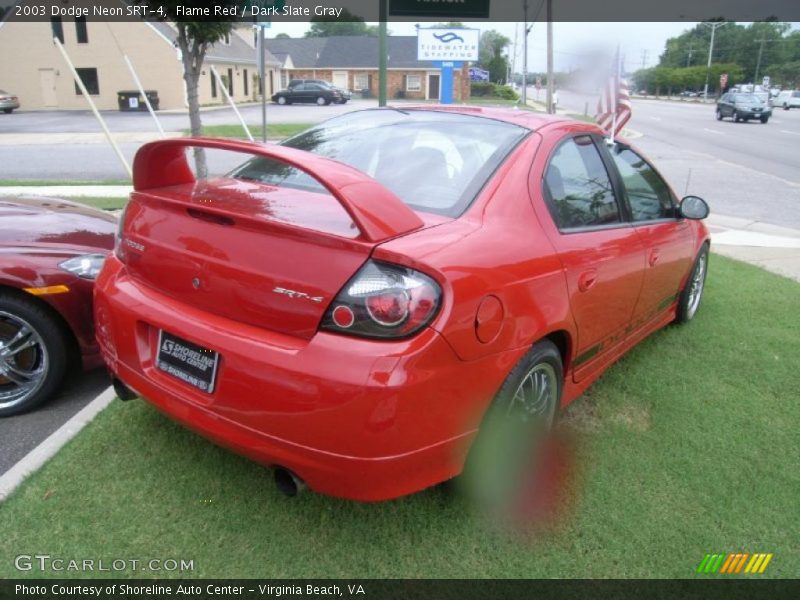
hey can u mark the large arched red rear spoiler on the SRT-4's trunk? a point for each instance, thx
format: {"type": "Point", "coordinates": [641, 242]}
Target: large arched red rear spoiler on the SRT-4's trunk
{"type": "Point", "coordinates": [376, 211]}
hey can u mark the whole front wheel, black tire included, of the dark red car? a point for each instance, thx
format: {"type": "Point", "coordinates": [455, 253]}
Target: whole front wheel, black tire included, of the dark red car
{"type": "Point", "coordinates": [34, 366]}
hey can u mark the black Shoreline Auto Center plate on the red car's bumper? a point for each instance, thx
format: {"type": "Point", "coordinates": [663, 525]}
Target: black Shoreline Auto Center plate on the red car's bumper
{"type": "Point", "coordinates": [186, 361]}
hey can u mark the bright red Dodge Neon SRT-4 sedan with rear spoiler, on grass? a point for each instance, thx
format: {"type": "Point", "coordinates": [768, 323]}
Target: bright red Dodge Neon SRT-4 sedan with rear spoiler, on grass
{"type": "Point", "coordinates": [349, 305]}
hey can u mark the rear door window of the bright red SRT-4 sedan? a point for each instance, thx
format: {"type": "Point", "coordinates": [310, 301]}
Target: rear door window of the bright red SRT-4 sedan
{"type": "Point", "coordinates": [579, 190]}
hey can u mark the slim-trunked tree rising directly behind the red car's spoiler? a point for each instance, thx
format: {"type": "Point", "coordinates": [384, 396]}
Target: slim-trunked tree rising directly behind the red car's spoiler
{"type": "Point", "coordinates": [193, 41]}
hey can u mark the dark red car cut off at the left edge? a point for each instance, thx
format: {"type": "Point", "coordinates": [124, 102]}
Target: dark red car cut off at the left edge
{"type": "Point", "coordinates": [50, 252]}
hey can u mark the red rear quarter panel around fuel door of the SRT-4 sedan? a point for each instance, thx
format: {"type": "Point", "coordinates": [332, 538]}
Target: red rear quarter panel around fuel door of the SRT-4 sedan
{"type": "Point", "coordinates": [495, 249]}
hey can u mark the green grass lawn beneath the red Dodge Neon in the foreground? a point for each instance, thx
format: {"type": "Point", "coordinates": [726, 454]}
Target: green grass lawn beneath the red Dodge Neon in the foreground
{"type": "Point", "coordinates": [687, 446]}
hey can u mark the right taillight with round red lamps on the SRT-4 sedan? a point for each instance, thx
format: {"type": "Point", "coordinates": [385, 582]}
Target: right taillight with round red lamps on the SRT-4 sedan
{"type": "Point", "coordinates": [384, 301]}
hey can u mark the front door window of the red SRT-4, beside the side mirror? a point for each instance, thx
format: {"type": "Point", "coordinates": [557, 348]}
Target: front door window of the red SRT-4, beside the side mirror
{"type": "Point", "coordinates": [648, 194]}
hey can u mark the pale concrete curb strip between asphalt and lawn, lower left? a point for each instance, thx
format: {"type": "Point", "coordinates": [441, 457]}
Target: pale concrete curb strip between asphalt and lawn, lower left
{"type": "Point", "coordinates": [37, 457]}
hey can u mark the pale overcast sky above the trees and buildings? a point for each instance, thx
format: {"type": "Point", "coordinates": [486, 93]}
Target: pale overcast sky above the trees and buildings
{"type": "Point", "coordinates": [575, 44]}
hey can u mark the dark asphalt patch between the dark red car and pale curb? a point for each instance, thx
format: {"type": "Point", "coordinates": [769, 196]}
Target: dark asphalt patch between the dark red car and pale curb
{"type": "Point", "coordinates": [22, 433]}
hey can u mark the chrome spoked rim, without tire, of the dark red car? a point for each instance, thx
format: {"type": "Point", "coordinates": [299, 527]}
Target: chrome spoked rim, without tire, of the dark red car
{"type": "Point", "coordinates": [24, 360]}
